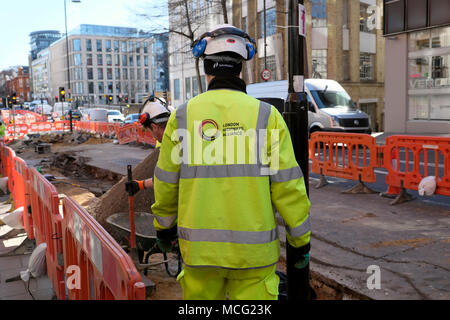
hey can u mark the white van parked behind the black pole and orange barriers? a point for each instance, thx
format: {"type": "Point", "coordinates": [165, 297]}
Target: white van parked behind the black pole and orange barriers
{"type": "Point", "coordinates": [330, 107]}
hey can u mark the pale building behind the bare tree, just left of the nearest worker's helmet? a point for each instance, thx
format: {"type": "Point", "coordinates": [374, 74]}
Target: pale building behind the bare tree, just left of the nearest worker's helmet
{"type": "Point", "coordinates": [183, 77]}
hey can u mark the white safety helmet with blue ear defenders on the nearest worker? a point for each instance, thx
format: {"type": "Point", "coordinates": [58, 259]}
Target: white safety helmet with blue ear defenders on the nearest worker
{"type": "Point", "coordinates": [225, 38]}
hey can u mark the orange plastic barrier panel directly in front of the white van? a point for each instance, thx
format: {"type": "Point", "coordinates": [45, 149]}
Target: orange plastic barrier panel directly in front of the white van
{"type": "Point", "coordinates": [338, 155]}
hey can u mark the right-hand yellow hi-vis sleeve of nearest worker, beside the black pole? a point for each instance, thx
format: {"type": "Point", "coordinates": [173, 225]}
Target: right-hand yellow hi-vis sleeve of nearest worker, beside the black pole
{"type": "Point", "coordinates": [287, 183]}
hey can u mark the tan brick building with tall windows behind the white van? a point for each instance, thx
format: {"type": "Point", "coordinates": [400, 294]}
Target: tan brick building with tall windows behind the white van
{"type": "Point", "coordinates": [344, 42]}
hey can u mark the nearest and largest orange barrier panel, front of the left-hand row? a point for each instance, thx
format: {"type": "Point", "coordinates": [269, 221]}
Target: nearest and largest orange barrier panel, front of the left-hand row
{"type": "Point", "coordinates": [107, 272]}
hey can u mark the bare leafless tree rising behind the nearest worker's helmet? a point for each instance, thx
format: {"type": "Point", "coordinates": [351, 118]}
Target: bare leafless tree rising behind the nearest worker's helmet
{"type": "Point", "coordinates": [184, 18]}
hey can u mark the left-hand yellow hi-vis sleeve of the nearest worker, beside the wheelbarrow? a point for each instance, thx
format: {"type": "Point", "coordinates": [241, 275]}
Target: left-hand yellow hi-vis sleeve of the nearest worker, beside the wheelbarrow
{"type": "Point", "coordinates": [166, 179]}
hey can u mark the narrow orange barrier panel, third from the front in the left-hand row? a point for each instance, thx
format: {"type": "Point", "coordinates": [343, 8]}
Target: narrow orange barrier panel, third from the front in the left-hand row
{"type": "Point", "coordinates": [22, 194]}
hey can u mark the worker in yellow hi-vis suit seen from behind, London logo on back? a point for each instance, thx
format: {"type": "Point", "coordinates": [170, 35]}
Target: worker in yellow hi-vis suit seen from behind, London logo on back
{"type": "Point", "coordinates": [221, 204]}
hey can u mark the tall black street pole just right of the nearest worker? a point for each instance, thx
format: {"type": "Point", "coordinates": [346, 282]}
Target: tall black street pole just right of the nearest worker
{"type": "Point", "coordinates": [296, 117]}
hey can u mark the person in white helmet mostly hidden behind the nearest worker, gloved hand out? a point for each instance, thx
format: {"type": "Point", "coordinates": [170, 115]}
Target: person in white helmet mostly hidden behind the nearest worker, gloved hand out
{"type": "Point", "coordinates": [154, 117]}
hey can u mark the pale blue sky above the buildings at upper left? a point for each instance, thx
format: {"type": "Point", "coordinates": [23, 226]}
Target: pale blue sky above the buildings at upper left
{"type": "Point", "coordinates": [18, 18]}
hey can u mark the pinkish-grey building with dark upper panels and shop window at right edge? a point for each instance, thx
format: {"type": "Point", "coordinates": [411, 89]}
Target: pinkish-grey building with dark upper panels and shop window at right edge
{"type": "Point", "coordinates": [417, 94]}
